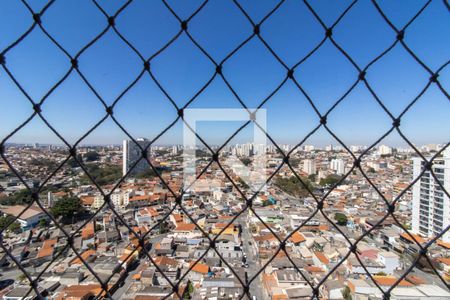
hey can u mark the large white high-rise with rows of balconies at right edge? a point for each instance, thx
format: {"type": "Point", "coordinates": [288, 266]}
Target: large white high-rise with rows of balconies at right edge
{"type": "Point", "coordinates": [431, 207]}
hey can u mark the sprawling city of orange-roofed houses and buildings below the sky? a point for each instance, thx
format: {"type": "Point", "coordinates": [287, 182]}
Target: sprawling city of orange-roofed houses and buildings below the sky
{"type": "Point", "coordinates": [244, 242]}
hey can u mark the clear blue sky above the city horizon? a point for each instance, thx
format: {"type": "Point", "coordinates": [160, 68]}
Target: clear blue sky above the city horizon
{"type": "Point", "coordinates": [253, 72]}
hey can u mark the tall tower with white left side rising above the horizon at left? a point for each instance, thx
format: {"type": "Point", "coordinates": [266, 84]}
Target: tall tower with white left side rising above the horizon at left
{"type": "Point", "coordinates": [132, 153]}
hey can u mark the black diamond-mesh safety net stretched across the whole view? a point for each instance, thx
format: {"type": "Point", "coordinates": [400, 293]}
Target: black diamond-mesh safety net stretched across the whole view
{"type": "Point", "coordinates": [143, 240]}
